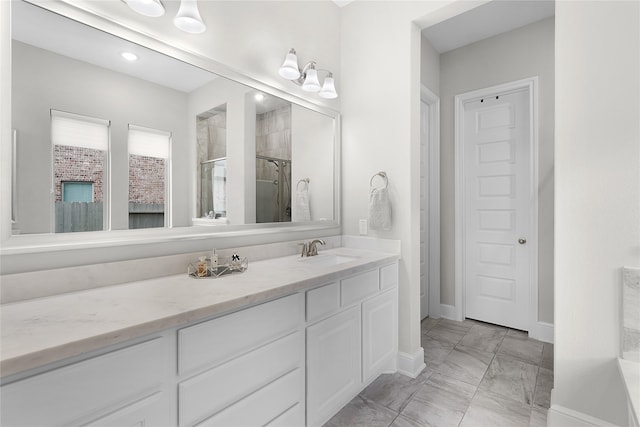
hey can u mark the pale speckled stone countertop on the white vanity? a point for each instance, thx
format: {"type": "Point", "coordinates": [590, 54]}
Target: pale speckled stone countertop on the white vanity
{"type": "Point", "coordinates": [46, 330]}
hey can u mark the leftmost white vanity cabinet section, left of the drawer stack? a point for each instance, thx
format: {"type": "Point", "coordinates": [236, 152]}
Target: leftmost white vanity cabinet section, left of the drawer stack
{"type": "Point", "coordinates": [123, 387]}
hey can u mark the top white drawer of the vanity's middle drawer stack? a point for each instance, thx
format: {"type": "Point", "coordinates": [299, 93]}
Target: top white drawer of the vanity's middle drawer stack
{"type": "Point", "coordinates": [211, 343]}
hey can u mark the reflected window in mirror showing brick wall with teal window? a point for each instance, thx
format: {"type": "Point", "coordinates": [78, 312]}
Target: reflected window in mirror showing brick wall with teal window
{"type": "Point", "coordinates": [80, 151]}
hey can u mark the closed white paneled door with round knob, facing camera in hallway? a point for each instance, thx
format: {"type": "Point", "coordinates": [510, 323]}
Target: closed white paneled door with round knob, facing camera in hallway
{"type": "Point", "coordinates": [496, 143]}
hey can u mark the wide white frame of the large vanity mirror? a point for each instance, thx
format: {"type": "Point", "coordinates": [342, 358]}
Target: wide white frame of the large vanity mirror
{"type": "Point", "coordinates": [12, 246]}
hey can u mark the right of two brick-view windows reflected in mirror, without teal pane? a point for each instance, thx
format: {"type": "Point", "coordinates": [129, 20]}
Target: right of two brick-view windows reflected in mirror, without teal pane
{"type": "Point", "coordinates": [148, 168]}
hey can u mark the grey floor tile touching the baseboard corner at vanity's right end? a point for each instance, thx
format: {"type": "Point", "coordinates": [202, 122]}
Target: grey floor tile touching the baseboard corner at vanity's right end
{"type": "Point", "coordinates": [393, 390]}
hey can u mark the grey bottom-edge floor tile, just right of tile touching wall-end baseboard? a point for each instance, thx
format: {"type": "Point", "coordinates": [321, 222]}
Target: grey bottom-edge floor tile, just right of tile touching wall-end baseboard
{"type": "Point", "coordinates": [441, 402]}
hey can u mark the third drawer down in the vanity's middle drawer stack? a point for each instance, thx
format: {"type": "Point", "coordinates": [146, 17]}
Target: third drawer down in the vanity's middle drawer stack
{"type": "Point", "coordinates": [264, 405]}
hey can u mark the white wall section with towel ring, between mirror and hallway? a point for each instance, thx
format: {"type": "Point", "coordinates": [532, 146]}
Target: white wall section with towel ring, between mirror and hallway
{"type": "Point", "coordinates": [381, 132]}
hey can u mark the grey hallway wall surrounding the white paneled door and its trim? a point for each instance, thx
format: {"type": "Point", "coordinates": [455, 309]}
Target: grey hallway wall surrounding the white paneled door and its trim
{"type": "Point", "coordinates": [521, 53]}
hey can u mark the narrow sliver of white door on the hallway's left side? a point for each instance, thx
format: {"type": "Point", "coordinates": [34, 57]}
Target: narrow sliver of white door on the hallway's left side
{"type": "Point", "coordinates": [424, 210]}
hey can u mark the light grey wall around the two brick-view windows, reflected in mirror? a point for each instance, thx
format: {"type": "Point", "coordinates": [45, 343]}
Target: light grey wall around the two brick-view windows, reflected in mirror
{"type": "Point", "coordinates": [43, 81]}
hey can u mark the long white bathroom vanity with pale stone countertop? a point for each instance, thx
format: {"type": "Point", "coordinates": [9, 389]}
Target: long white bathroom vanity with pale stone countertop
{"type": "Point", "coordinates": [287, 343]}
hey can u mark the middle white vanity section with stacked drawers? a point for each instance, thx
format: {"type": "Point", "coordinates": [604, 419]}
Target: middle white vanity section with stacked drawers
{"type": "Point", "coordinates": [243, 369]}
